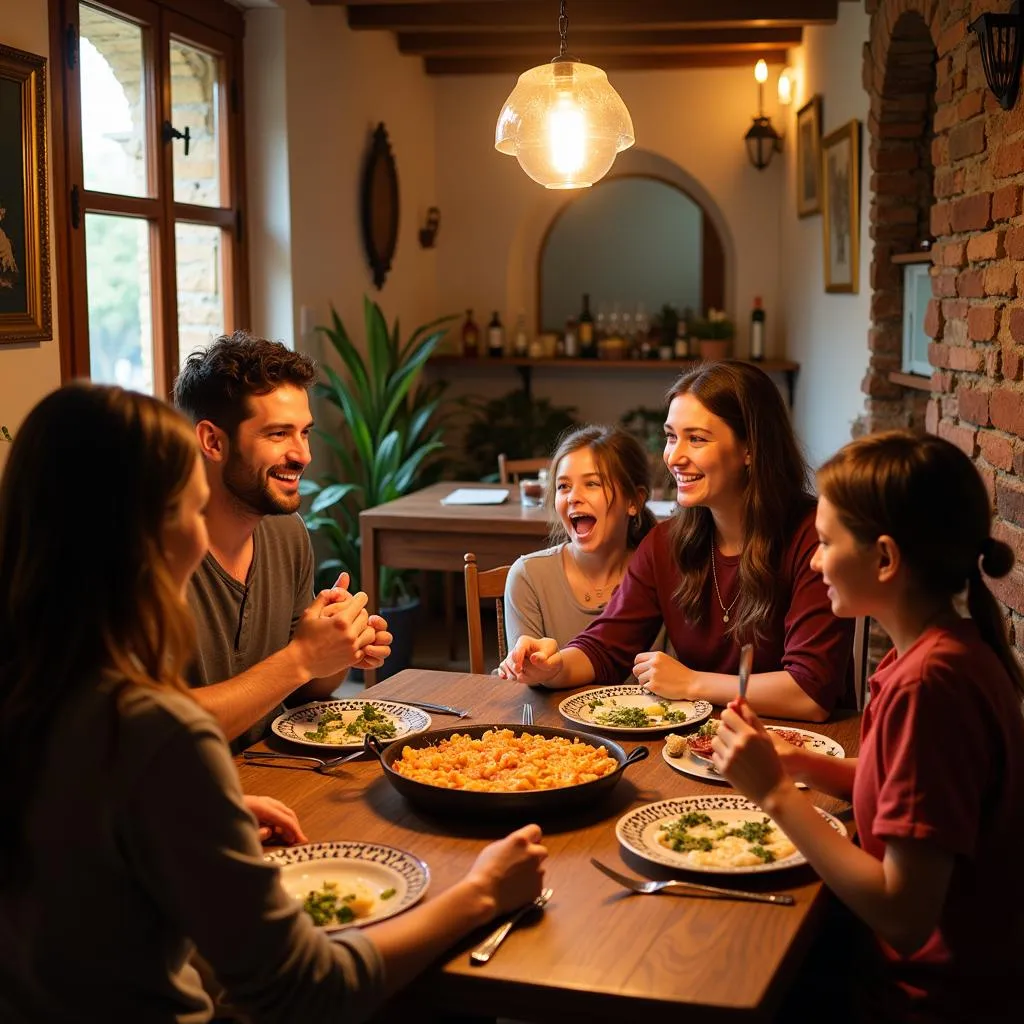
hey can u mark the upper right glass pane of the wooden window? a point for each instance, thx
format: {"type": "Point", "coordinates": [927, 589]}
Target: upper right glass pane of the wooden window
{"type": "Point", "coordinates": [195, 105]}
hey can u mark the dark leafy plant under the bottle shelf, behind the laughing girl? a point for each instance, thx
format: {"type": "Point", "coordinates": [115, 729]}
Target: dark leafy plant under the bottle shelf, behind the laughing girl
{"type": "Point", "coordinates": [518, 424]}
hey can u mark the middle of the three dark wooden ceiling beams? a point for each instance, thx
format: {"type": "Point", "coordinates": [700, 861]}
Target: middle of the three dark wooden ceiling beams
{"type": "Point", "coordinates": [584, 45]}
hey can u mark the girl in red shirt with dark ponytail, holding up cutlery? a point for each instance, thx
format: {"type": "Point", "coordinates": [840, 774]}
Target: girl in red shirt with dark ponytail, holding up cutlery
{"type": "Point", "coordinates": [938, 788]}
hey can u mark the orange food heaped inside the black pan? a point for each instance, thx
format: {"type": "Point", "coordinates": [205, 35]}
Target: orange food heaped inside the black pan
{"type": "Point", "coordinates": [501, 761]}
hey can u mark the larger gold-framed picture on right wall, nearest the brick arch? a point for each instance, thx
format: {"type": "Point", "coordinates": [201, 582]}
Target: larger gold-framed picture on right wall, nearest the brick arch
{"type": "Point", "coordinates": [841, 206]}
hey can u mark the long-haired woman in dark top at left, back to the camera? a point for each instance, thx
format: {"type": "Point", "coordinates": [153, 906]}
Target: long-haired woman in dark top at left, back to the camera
{"type": "Point", "coordinates": [127, 841]}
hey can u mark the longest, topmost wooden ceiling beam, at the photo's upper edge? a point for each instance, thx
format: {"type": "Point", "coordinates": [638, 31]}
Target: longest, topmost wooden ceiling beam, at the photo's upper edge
{"type": "Point", "coordinates": [537, 16]}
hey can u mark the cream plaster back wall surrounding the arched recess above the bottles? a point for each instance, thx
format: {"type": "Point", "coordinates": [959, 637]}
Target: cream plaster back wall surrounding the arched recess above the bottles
{"type": "Point", "coordinates": [690, 129]}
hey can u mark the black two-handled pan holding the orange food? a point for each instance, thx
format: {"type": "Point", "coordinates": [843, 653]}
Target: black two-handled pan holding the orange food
{"type": "Point", "coordinates": [442, 800]}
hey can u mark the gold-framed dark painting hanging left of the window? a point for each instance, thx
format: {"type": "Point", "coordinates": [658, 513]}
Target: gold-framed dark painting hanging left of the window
{"type": "Point", "coordinates": [25, 252]}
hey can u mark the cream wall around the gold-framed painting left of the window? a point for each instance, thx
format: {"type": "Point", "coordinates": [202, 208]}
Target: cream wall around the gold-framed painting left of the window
{"type": "Point", "coordinates": [28, 371]}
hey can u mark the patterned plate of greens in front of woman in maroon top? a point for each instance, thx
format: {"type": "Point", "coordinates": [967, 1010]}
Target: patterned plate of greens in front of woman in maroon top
{"type": "Point", "coordinates": [632, 710]}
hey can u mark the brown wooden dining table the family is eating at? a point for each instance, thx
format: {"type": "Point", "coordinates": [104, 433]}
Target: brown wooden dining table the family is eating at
{"type": "Point", "coordinates": [598, 953]}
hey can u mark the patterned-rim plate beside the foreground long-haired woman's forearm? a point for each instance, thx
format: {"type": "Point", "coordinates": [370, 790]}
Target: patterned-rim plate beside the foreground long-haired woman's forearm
{"type": "Point", "coordinates": [345, 885]}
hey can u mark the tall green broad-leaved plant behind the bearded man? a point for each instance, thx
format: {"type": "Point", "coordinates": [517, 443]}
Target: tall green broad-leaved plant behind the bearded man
{"type": "Point", "coordinates": [389, 437]}
